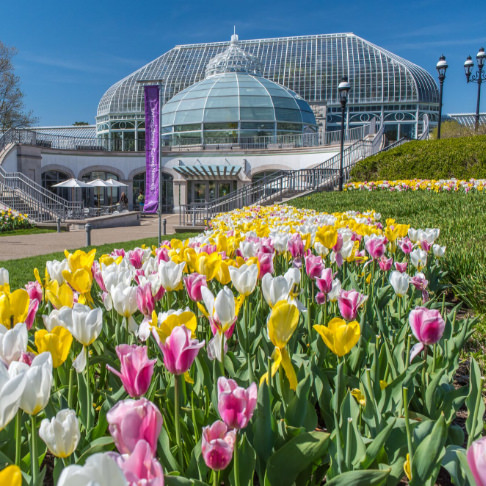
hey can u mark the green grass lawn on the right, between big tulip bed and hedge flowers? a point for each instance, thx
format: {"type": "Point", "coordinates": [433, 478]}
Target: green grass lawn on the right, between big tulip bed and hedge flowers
{"type": "Point", "coordinates": [462, 222]}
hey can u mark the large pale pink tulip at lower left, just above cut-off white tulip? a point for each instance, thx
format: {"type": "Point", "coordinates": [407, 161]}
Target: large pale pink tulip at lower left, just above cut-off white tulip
{"type": "Point", "coordinates": [133, 420]}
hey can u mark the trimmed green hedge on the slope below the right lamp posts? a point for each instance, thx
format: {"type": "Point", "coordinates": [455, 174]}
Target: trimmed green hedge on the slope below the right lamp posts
{"type": "Point", "coordinates": [462, 158]}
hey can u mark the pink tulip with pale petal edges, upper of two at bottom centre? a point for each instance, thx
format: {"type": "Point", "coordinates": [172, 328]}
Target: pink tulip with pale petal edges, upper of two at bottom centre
{"type": "Point", "coordinates": [236, 404]}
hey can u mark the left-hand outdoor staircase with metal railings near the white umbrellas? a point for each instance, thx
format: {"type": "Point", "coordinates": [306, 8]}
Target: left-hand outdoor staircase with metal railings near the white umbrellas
{"type": "Point", "coordinates": [39, 203]}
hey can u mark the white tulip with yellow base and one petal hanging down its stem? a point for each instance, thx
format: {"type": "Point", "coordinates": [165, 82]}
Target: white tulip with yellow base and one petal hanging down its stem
{"type": "Point", "coordinates": [85, 325]}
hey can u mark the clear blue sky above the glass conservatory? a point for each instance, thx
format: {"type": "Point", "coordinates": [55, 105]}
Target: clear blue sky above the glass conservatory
{"type": "Point", "coordinates": [69, 53]}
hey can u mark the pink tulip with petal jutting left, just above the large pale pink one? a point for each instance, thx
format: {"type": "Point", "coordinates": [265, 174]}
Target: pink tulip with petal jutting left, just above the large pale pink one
{"type": "Point", "coordinates": [135, 369]}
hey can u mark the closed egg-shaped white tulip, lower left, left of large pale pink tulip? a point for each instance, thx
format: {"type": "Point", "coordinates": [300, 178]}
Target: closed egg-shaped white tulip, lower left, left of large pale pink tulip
{"type": "Point", "coordinates": [61, 433]}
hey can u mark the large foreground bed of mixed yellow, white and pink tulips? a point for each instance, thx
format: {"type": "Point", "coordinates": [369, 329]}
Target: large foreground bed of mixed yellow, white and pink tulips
{"type": "Point", "coordinates": [280, 347]}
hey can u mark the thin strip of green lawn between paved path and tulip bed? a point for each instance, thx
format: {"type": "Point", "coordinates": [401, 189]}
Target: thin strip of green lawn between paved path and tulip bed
{"type": "Point", "coordinates": [22, 270]}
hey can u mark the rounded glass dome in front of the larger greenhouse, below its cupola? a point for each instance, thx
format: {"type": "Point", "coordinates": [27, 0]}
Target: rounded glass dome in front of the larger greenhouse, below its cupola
{"type": "Point", "coordinates": [234, 106]}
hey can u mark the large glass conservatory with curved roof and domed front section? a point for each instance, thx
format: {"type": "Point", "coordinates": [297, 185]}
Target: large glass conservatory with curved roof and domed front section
{"type": "Point", "coordinates": [305, 68]}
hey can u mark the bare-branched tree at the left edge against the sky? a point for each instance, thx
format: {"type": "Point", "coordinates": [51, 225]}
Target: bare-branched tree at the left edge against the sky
{"type": "Point", "coordinates": [12, 111]}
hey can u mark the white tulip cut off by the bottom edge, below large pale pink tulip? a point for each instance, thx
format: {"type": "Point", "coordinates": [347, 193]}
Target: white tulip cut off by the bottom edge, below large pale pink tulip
{"type": "Point", "coordinates": [99, 470]}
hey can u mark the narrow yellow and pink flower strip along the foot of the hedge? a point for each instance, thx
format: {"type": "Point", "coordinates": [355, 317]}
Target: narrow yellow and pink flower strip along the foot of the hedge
{"type": "Point", "coordinates": [446, 185]}
